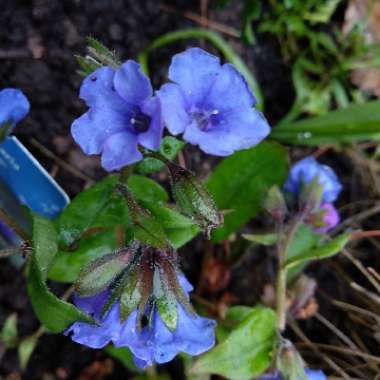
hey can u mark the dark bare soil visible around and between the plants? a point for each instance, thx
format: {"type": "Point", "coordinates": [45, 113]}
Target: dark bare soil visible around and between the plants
{"type": "Point", "coordinates": [38, 43]}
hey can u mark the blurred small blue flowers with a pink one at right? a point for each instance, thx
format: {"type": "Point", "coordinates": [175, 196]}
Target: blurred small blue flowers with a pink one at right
{"type": "Point", "coordinates": [302, 173]}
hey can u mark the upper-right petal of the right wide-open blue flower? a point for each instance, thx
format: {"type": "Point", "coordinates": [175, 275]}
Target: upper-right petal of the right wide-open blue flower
{"type": "Point", "coordinates": [230, 91]}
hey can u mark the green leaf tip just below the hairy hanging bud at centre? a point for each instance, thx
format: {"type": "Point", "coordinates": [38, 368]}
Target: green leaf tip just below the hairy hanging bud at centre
{"type": "Point", "coordinates": [178, 228]}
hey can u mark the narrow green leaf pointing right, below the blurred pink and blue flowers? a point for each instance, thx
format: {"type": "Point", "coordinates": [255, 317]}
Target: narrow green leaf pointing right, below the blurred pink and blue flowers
{"type": "Point", "coordinates": [329, 249]}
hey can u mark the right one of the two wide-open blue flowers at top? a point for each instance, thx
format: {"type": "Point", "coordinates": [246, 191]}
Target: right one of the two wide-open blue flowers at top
{"type": "Point", "coordinates": [211, 104]}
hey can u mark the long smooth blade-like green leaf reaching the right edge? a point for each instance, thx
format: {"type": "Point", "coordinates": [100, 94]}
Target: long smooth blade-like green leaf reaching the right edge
{"type": "Point", "coordinates": [354, 123]}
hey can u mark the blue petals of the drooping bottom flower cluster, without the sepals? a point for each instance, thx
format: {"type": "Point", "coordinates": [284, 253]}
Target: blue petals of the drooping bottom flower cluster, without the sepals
{"type": "Point", "coordinates": [153, 343]}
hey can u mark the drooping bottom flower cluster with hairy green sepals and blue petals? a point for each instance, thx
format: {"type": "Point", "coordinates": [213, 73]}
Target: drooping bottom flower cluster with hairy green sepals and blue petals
{"type": "Point", "coordinates": [145, 307]}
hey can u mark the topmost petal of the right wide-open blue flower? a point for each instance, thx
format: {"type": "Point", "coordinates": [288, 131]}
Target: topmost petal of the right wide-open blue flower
{"type": "Point", "coordinates": [195, 71]}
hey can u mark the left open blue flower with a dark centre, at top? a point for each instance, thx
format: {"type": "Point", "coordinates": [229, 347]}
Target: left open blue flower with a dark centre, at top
{"type": "Point", "coordinates": [122, 115]}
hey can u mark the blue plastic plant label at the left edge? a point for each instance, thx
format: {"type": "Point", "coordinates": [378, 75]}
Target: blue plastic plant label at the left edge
{"type": "Point", "coordinates": [29, 181]}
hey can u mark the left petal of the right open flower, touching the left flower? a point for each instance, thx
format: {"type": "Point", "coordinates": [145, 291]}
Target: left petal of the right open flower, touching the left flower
{"type": "Point", "coordinates": [174, 108]}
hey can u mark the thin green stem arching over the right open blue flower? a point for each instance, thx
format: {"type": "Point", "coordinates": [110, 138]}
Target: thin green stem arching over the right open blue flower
{"type": "Point", "coordinates": [215, 39]}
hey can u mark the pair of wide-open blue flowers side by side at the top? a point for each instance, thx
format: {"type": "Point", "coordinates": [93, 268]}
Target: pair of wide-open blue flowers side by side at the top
{"type": "Point", "coordinates": [209, 103]}
